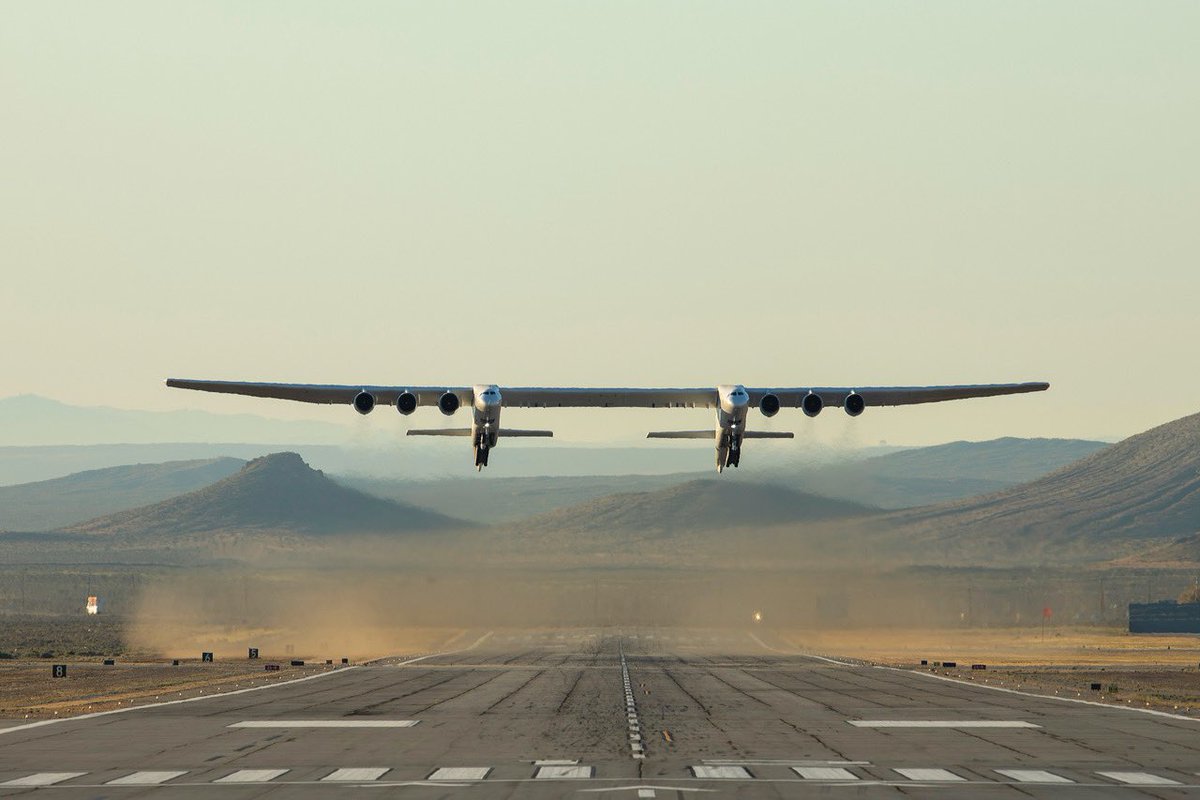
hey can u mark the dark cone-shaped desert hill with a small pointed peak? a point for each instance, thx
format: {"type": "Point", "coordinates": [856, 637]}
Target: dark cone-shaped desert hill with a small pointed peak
{"type": "Point", "coordinates": [278, 492]}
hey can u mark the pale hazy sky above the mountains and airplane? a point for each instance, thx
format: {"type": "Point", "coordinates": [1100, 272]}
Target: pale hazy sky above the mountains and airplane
{"type": "Point", "coordinates": [609, 194]}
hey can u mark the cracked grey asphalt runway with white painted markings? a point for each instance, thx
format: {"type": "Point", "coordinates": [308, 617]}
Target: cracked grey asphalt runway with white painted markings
{"type": "Point", "coordinates": [640, 714]}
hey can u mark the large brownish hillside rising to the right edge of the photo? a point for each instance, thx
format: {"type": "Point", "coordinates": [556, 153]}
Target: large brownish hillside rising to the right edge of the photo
{"type": "Point", "coordinates": [1142, 490]}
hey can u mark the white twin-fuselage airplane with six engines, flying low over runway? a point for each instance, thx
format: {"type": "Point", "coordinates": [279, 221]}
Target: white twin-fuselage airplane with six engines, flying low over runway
{"type": "Point", "coordinates": [731, 401]}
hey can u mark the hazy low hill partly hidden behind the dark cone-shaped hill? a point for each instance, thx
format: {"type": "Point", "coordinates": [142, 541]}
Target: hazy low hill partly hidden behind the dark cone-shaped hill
{"type": "Point", "coordinates": [58, 503]}
